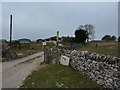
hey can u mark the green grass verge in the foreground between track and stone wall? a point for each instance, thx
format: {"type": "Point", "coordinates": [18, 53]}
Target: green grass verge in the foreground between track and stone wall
{"type": "Point", "coordinates": [58, 76]}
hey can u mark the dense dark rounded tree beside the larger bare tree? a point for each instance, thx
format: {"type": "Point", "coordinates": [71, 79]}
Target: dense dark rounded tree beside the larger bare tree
{"type": "Point", "coordinates": [81, 35]}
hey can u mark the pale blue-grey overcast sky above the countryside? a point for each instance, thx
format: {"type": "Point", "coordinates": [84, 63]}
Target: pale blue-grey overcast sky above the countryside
{"type": "Point", "coordinates": [34, 20]}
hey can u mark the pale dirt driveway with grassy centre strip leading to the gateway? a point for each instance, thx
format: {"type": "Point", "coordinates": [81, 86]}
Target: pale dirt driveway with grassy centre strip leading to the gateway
{"type": "Point", "coordinates": [14, 72]}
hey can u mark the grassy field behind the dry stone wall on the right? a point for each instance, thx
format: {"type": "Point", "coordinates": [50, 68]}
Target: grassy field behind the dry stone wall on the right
{"type": "Point", "coordinates": [104, 47]}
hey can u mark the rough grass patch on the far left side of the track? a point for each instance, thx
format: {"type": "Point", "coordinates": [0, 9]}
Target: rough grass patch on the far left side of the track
{"type": "Point", "coordinates": [23, 52]}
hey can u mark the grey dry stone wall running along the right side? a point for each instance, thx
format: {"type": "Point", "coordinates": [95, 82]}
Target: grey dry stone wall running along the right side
{"type": "Point", "coordinates": [98, 67]}
